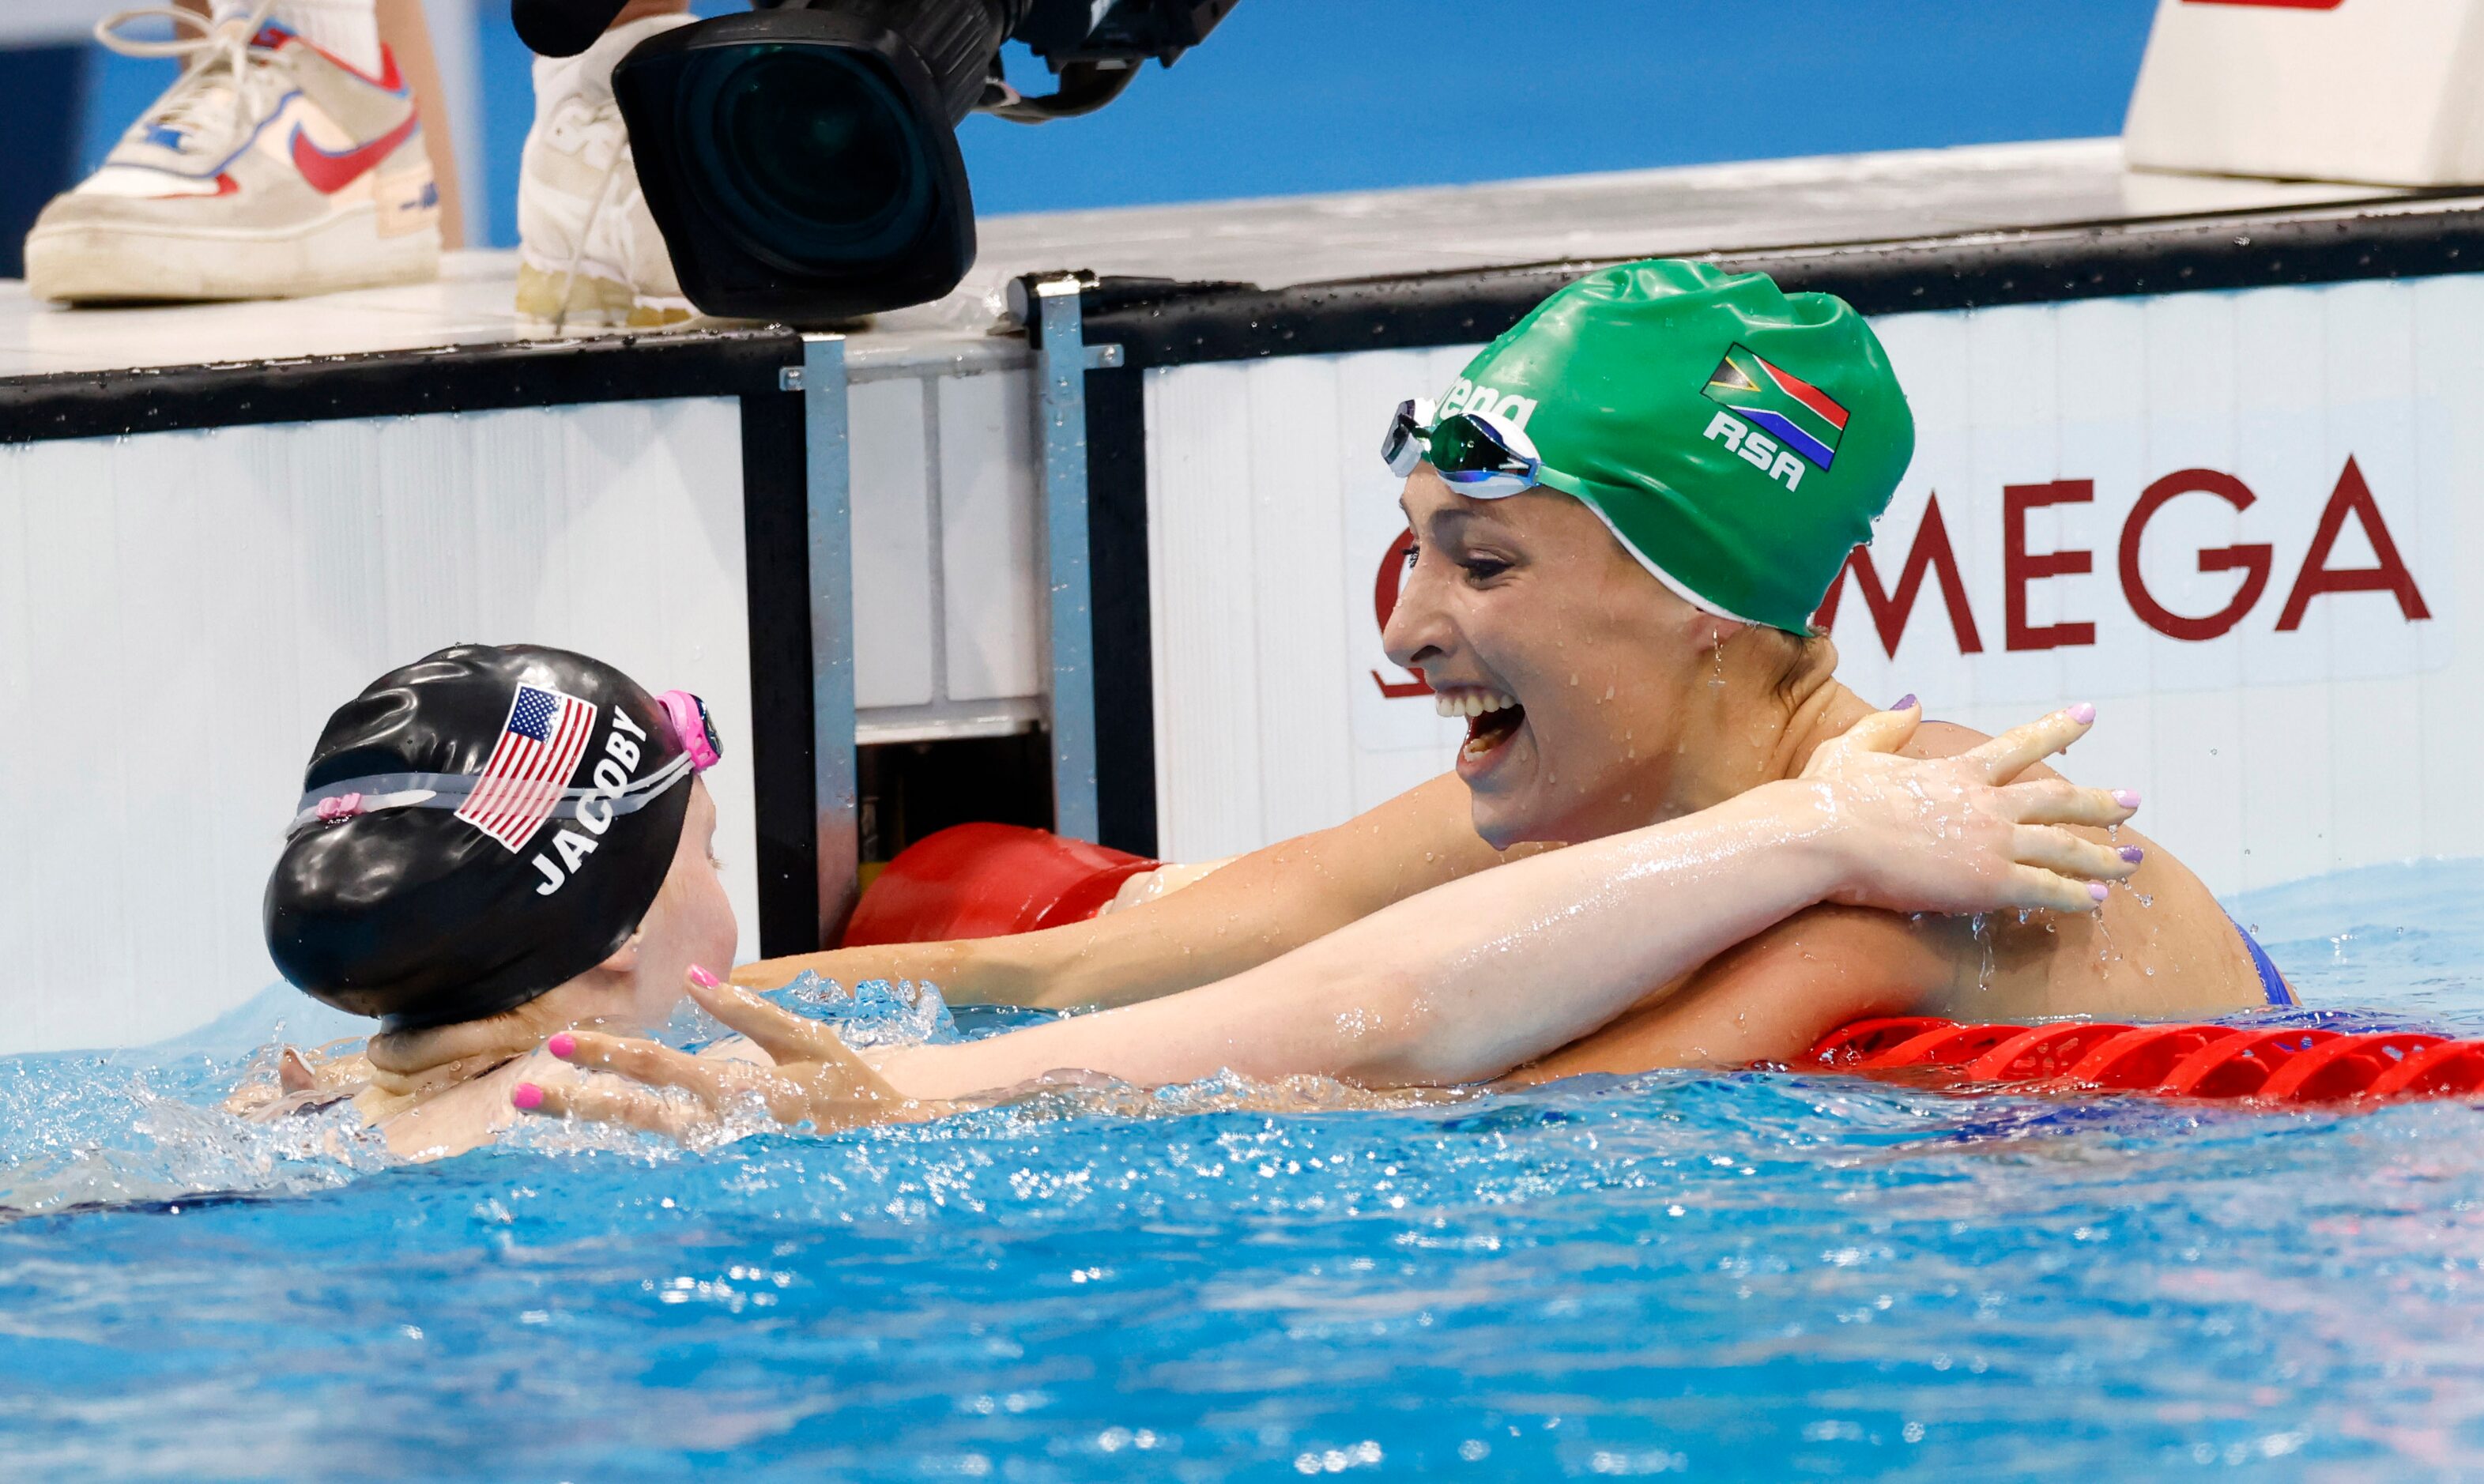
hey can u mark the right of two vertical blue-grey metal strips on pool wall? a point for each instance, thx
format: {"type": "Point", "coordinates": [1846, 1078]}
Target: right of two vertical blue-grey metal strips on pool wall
{"type": "Point", "coordinates": [1062, 366]}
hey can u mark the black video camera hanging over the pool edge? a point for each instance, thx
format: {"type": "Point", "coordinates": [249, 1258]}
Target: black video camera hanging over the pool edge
{"type": "Point", "coordinates": [804, 160]}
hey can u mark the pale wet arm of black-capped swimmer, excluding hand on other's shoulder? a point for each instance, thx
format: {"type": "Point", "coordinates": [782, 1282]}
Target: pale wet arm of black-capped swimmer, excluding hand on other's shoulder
{"type": "Point", "coordinates": [1457, 984]}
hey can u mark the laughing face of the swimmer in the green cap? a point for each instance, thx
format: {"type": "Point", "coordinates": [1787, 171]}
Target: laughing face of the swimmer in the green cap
{"type": "Point", "coordinates": [1531, 602]}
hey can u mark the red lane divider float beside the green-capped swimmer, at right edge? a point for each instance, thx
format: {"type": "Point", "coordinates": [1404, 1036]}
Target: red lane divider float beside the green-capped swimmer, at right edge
{"type": "Point", "coordinates": [2284, 1066]}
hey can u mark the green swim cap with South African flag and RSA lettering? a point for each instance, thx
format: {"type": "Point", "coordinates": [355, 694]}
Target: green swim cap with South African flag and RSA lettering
{"type": "Point", "coordinates": [1735, 438]}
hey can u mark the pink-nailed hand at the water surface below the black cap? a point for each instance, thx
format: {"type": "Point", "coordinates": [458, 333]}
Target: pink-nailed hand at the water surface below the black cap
{"type": "Point", "coordinates": [818, 1081]}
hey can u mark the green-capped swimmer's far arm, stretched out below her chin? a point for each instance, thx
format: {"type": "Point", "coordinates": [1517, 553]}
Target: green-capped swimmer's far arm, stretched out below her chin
{"type": "Point", "coordinates": [1246, 914]}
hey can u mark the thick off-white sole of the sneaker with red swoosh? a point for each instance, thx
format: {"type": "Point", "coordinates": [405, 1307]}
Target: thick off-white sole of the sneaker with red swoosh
{"type": "Point", "coordinates": [118, 264]}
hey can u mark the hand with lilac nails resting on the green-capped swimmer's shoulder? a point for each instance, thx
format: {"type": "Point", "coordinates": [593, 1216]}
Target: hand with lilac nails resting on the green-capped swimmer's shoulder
{"type": "Point", "coordinates": [1956, 835]}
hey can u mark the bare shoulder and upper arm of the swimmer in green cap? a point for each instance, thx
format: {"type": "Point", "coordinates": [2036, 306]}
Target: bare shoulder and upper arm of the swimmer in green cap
{"type": "Point", "coordinates": [2160, 947]}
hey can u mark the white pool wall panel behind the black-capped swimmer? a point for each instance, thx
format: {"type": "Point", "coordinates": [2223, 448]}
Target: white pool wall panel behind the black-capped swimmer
{"type": "Point", "coordinates": [183, 612]}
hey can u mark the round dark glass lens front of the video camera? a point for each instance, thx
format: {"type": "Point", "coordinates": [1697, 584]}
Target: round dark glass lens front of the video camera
{"type": "Point", "coordinates": [809, 153]}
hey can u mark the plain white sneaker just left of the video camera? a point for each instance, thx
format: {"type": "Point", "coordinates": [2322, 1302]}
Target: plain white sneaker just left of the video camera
{"type": "Point", "coordinates": [587, 249]}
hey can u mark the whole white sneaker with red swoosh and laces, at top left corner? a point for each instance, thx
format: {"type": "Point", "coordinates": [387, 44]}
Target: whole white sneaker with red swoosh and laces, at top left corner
{"type": "Point", "coordinates": [267, 170]}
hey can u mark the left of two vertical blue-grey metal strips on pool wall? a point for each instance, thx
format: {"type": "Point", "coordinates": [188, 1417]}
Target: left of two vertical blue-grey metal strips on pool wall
{"type": "Point", "coordinates": [828, 478]}
